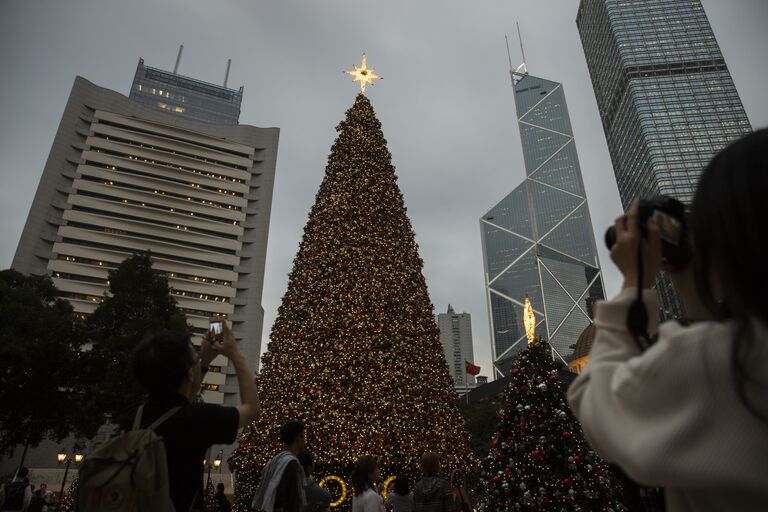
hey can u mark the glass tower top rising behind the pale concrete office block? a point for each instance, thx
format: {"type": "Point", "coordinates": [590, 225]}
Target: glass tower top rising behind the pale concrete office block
{"type": "Point", "coordinates": [186, 97]}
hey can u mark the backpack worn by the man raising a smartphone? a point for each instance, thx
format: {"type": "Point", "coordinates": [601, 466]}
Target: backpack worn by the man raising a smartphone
{"type": "Point", "coordinates": [127, 474]}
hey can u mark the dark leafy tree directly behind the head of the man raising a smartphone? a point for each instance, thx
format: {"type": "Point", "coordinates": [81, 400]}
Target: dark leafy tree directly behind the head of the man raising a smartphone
{"type": "Point", "coordinates": [138, 303]}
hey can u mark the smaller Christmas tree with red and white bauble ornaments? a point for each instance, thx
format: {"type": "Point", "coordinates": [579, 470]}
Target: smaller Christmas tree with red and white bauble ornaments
{"type": "Point", "coordinates": [539, 459]}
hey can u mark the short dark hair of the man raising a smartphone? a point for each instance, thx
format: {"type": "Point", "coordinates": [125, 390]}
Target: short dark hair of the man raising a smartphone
{"type": "Point", "coordinates": [161, 360]}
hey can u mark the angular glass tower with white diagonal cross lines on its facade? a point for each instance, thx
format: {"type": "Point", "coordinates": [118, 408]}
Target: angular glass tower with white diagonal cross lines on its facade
{"type": "Point", "coordinates": [538, 240]}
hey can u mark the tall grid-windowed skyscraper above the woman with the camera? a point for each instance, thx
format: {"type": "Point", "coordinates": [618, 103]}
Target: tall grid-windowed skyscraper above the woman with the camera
{"type": "Point", "coordinates": [666, 99]}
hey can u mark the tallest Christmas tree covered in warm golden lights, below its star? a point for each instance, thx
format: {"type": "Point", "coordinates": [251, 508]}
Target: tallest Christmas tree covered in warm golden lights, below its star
{"type": "Point", "coordinates": [354, 352]}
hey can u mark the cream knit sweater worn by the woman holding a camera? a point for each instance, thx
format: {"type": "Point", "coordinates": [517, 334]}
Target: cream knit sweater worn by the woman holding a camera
{"type": "Point", "coordinates": [670, 417]}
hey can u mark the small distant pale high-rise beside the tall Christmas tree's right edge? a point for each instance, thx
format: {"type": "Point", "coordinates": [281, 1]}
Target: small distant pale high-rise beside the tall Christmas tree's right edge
{"type": "Point", "coordinates": [456, 339]}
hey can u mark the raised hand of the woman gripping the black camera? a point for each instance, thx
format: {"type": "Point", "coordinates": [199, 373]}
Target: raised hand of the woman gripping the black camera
{"type": "Point", "coordinates": [624, 251]}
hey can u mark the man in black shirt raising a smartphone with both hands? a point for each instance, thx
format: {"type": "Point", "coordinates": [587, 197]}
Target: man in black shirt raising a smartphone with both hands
{"type": "Point", "coordinates": [171, 371]}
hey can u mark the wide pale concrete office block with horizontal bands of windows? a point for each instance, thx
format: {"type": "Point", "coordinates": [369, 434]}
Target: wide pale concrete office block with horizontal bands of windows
{"type": "Point", "coordinates": [123, 178]}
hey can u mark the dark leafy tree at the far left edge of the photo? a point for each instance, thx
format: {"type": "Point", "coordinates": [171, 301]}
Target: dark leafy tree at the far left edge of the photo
{"type": "Point", "coordinates": [40, 340]}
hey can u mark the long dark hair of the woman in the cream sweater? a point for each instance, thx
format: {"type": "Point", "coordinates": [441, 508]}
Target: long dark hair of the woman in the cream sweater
{"type": "Point", "coordinates": [728, 224]}
